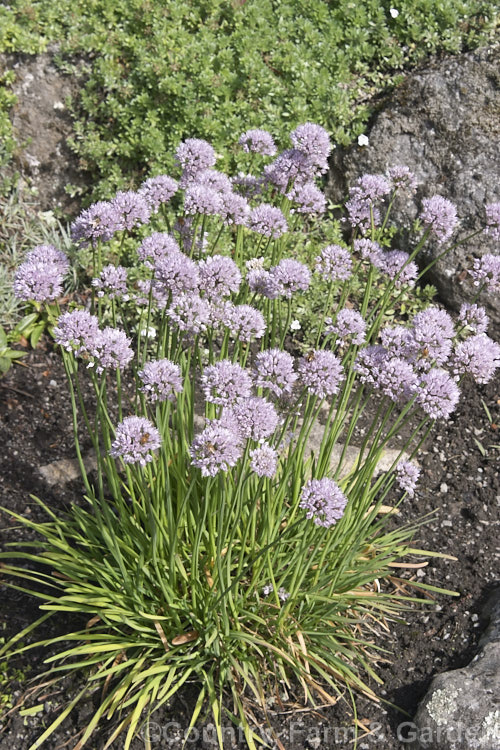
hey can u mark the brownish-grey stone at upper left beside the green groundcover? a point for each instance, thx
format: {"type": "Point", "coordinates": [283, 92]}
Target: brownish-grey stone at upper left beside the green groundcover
{"type": "Point", "coordinates": [42, 124]}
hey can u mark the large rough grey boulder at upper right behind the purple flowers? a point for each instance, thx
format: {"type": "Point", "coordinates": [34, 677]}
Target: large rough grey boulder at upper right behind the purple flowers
{"type": "Point", "coordinates": [443, 122]}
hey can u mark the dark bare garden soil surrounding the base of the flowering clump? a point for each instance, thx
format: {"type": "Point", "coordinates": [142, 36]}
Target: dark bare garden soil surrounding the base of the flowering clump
{"type": "Point", "coordinates": [460, 483]}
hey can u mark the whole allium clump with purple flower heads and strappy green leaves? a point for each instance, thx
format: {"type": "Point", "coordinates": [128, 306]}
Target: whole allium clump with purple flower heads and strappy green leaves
{"type": "Point", "coordinates": [215, 546]}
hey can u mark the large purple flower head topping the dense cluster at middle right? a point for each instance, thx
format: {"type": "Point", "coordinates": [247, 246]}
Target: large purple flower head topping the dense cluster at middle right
{"type": "Point", "coordinates": [433, 332]}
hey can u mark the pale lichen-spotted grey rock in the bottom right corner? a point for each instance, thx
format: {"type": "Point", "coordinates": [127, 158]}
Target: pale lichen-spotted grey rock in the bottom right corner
{"type": "Point", "coordinates": [461, 709]}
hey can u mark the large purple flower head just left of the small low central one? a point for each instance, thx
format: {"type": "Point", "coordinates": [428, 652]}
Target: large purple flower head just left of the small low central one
{"type": "Point", "coordinates": [216, 449]}
